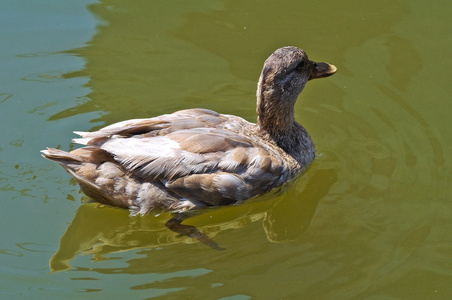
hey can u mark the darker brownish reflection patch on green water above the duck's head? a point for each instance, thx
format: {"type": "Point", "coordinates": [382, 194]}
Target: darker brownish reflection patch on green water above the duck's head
{"type": "Point", "coordinates": [241, 33]}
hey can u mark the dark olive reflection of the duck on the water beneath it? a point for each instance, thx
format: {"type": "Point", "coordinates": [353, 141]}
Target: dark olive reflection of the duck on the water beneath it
{"type": "Point", "coordinates": [101, 230]}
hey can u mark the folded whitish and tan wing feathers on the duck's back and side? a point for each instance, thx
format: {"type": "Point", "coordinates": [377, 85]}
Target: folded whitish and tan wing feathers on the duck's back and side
{"type": "Point", "coordinates": [192, 154]}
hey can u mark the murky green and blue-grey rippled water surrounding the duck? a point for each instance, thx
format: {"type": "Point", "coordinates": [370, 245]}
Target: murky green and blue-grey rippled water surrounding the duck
{"type": "Point", "coordinates": [371, 219]}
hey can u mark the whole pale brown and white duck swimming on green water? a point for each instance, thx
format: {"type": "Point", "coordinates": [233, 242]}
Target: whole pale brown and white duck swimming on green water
{"type": "Point", "coordinates": [197, 158]}
